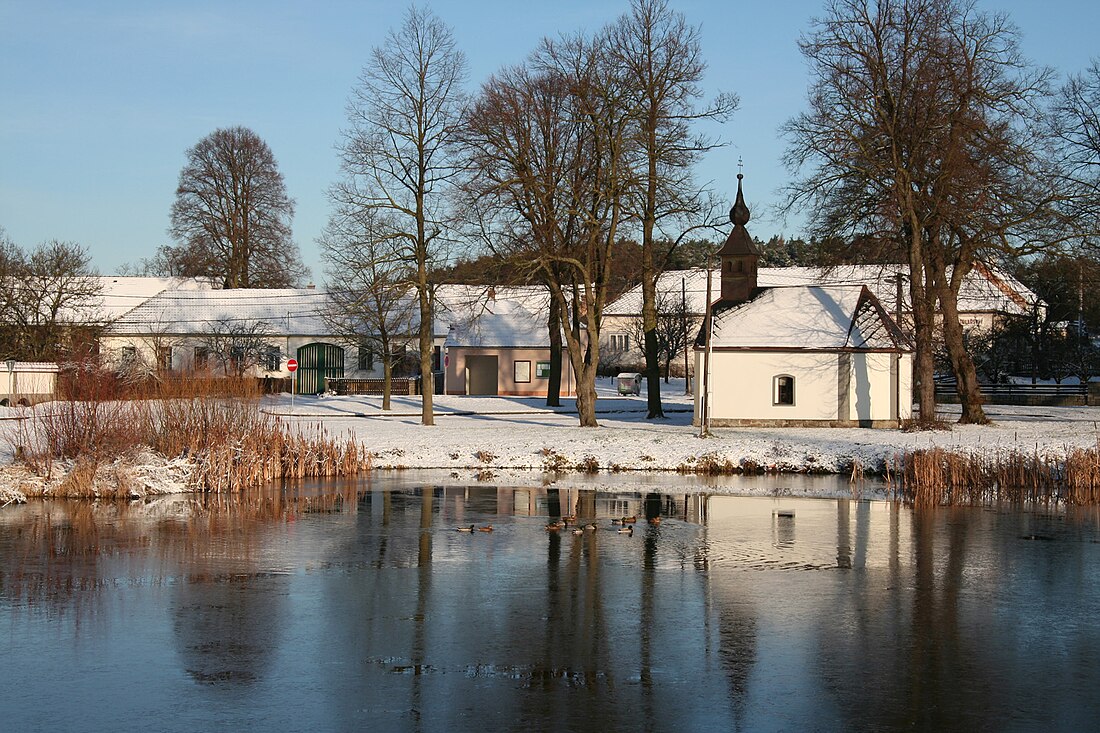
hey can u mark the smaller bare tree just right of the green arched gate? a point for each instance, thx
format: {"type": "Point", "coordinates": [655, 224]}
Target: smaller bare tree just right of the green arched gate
{"type": "Point", "coordinates": [369, 287]}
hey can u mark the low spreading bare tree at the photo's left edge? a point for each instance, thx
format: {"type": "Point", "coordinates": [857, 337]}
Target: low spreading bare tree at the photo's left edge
{"type": "Point", "coordinates": [49, 300]}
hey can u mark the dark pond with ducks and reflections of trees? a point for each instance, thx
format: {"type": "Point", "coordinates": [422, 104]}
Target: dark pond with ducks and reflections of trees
{"type": "Point", "coordinates": [364, 608]}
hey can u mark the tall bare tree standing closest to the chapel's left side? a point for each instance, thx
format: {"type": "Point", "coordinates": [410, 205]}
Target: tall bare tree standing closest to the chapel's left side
{"type": "Point", "coordinates": [661, 62]}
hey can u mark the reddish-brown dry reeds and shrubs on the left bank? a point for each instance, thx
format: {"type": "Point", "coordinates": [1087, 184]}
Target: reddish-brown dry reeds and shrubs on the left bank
{"type": "Point", "coordinates": [217, 424]}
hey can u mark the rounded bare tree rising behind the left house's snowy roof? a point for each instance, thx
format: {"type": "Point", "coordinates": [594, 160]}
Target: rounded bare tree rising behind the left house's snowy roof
{"type": "Point", "coordinates": [233, 216]}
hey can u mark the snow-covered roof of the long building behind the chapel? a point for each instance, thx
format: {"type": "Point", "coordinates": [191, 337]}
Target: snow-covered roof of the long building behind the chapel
{"type": "Point", "coordinates": [985, 290]}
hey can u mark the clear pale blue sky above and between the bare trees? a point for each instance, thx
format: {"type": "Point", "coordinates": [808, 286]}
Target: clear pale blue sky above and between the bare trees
{"type": "Point", "coordinates": [100, 102]}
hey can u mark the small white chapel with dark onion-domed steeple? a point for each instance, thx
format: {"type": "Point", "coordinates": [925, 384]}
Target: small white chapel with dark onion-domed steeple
{"type": "Point", "coordinates": [799, 356]}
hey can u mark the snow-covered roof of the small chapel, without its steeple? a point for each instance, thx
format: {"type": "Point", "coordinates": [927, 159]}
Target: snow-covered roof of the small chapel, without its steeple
{"type": "Point", "coordinates": [807, 319]}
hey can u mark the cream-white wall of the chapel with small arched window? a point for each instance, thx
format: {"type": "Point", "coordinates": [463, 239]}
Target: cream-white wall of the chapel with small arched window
{"type": "Point", "coordinates": [838, 389]}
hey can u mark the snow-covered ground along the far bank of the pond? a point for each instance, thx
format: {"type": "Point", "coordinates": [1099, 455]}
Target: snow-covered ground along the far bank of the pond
{"type": "Point", "coordinates": [520, 439]}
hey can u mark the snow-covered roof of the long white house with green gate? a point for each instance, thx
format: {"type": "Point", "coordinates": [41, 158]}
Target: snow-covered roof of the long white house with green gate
{"type": "Point", "coordinates": [283, 311]}
